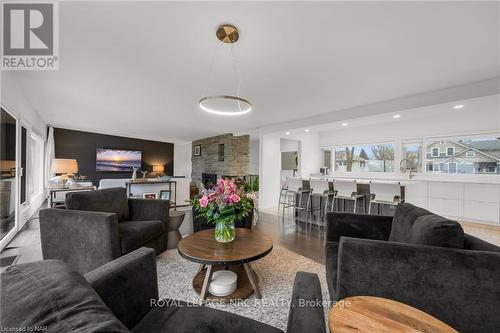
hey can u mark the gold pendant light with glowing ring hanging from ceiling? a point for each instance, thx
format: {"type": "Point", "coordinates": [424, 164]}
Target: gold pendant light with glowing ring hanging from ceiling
{"type": "Point", "coordinates": [222, 104]}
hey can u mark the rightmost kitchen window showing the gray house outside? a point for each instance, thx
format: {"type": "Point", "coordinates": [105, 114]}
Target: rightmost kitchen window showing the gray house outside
{"type": "Point", "coordinates": [463, 156]}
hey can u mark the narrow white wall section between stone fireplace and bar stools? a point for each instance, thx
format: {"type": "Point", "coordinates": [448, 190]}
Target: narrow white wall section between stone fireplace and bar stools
{"type": "Point", "coordinates": [269, 171]}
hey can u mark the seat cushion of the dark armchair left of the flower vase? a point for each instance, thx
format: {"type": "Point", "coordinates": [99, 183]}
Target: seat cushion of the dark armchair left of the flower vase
{"type": "Point", "coordinates": [134, 234]}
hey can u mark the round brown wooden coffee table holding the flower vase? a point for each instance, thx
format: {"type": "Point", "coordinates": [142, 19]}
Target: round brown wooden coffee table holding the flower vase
{"type": "Point", "coordinates": [248, 245]}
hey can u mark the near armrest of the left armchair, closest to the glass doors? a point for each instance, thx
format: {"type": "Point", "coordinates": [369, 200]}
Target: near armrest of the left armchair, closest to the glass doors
{"type": "Point", "coordinates": [83, 239]}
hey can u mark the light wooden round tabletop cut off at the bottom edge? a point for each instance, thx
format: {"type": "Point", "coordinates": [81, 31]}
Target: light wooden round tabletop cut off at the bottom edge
{"type": "Point", "coordinates": [367, 314]}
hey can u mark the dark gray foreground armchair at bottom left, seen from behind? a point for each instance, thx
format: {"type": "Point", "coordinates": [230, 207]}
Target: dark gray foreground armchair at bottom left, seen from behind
{"type": "Point", "coordinates": [122, 296]}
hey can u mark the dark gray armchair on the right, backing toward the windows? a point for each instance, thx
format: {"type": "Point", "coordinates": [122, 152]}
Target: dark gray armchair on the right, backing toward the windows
{"type": "Point", "coordinates": [417, 258]}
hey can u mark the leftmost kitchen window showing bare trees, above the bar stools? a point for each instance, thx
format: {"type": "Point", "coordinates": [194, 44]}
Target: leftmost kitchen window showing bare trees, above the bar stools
{"type": "Point", "coordinates": [365, 158]}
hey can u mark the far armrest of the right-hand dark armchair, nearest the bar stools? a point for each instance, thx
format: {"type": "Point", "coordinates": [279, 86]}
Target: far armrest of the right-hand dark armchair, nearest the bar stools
{"type": "Point", "coordinates": [358, 226]}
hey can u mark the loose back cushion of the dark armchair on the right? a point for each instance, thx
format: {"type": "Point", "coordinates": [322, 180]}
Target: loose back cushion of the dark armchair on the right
{"type": "Point", "coordinates": [416, 225]}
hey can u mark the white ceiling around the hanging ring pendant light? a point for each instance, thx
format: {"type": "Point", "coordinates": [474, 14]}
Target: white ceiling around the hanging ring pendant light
{"type": "Point", "coordinates": [138, 69]}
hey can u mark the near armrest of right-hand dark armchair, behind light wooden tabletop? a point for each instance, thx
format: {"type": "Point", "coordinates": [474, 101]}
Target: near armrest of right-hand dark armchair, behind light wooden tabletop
{"type": "Point", "coordinates": [459, 287]}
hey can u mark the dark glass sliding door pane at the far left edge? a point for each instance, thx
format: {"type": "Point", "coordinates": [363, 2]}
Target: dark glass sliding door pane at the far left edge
{"type": "Point", "coordinates": [8, 180]}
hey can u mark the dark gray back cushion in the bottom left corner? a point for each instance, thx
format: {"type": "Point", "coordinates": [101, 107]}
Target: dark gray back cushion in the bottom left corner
{"type": "Point", "coordinates": [50, 293]}
